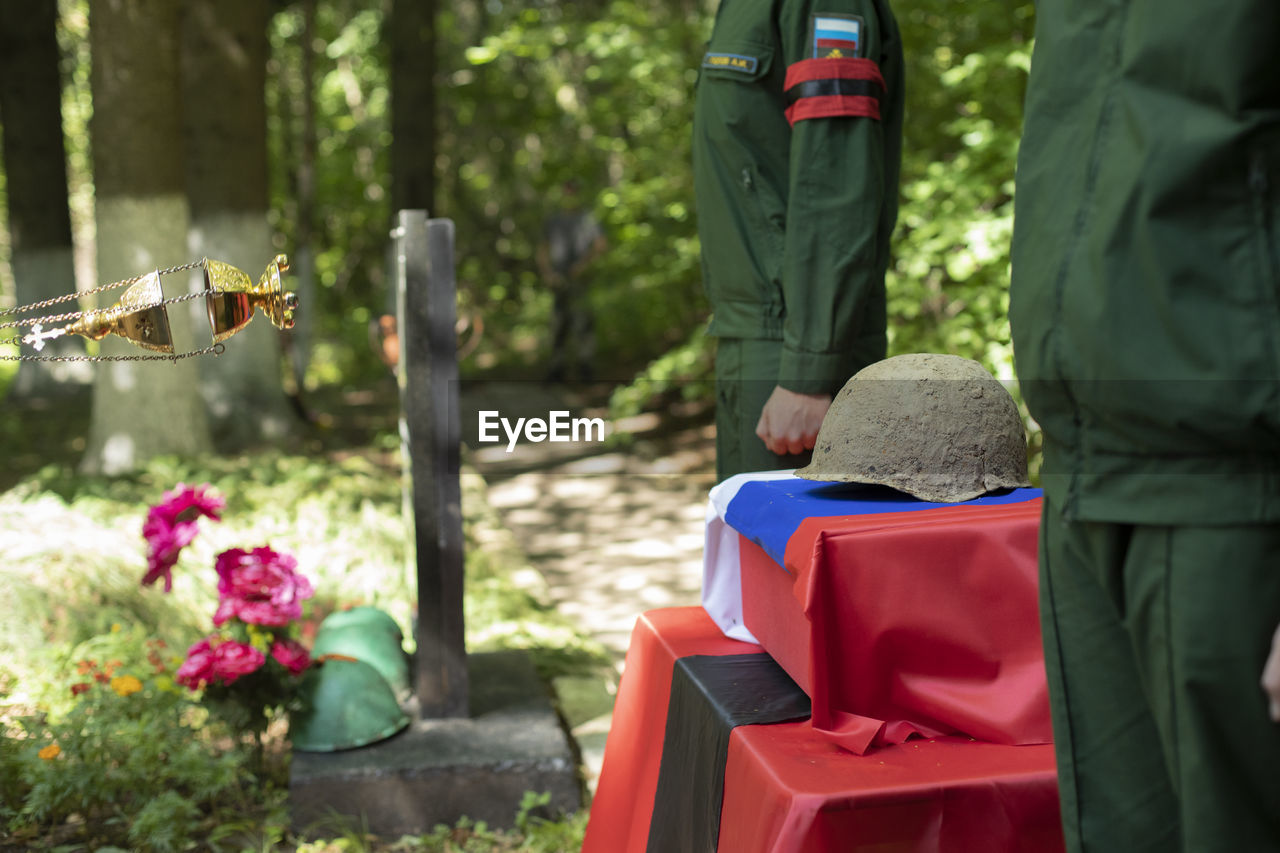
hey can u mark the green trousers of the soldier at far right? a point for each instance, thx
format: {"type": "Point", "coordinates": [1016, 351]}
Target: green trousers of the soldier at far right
{"type": "Point", "coordinates": [1155, 640]}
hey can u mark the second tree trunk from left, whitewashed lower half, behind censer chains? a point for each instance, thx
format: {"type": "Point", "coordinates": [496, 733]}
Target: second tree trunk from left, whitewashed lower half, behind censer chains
{"type": "Point", "coordinates": [141, 409]}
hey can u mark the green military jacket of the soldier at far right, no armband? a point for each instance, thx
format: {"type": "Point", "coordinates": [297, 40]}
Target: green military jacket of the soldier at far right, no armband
{"type": "Point", "coordinates": [1146, 297]}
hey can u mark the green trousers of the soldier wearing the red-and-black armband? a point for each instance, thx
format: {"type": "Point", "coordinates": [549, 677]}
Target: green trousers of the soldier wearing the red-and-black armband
{"type": "Point", "coordinates": [747, 372]}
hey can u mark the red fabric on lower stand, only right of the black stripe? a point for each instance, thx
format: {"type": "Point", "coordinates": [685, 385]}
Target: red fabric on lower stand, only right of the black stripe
{"type": "Point", "coordinates": [788, 790]}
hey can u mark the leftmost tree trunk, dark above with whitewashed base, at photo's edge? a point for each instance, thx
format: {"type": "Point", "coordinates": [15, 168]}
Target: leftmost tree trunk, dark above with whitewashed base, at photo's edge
{"type": "Point", "coordinates": [35, 163]}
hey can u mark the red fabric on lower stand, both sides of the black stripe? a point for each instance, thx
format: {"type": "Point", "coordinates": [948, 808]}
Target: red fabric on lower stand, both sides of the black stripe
{"type": "Point", "coordinates": [789, 790]}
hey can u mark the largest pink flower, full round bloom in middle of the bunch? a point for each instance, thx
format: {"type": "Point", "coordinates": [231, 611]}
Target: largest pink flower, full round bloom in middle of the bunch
{"type": "Point", "coordinates": [259, 587]}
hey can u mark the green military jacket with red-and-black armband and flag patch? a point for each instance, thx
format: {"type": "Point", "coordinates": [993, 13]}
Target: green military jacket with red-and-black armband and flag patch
{"type": "Point", "coordinates": [797, 148]}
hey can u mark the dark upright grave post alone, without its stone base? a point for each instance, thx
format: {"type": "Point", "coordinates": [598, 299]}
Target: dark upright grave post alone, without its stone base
{"type": "Point", "coordinates": [431, 434]}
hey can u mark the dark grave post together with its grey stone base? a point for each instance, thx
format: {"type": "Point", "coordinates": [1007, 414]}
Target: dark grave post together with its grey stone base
{"type": "Point", "coordinates": [483, 741]}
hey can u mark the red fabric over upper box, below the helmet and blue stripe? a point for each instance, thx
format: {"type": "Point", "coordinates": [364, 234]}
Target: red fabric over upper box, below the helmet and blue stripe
{"type": "Point", "coordinates": [907, 624]}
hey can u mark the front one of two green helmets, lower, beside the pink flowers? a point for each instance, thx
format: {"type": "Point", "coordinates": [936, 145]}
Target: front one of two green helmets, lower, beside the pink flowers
{"type": "Point", "coordinates": [348, 704]}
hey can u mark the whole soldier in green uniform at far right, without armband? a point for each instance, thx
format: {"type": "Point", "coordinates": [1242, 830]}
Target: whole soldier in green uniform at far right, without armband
{"type": "Point", "coordinates": [1146, 317]}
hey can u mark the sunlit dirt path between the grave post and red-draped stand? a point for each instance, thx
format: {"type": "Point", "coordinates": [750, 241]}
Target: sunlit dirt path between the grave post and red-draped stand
{"type": "Point", "coordinates": [615, 532]}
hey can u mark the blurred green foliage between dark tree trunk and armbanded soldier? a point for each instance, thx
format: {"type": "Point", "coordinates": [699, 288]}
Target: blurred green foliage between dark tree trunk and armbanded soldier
{"type": "Point", "coordinates": [601, 94]}
